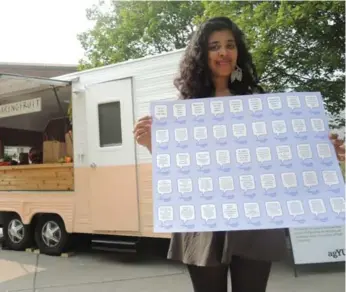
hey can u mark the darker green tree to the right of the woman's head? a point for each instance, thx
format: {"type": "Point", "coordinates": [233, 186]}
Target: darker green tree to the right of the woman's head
{"type": "Point", "coordinates": [296, 45]}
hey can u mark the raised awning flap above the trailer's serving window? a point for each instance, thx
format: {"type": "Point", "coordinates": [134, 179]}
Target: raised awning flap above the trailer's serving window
{"type": "Point", "coordinates": [14, 85]}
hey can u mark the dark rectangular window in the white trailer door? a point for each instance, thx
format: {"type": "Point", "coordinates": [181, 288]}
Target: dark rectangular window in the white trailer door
{"type": "Point", "coordinates": [110, 124]}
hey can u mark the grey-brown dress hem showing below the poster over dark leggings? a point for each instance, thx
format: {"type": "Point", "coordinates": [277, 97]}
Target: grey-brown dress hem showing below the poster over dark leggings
{"type": "Point", "coordinates": [217, 248]}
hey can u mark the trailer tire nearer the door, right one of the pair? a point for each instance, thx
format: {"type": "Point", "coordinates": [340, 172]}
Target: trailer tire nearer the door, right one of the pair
{"type": "Point", "coordinates": [50, 235]}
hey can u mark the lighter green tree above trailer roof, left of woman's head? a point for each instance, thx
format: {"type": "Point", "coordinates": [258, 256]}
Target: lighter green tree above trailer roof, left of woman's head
{"type": "Point", "coordinates": [133, 29]}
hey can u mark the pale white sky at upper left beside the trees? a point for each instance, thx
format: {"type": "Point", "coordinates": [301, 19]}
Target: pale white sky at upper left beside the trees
{"type": "Point", "coordinates": [42, 31]}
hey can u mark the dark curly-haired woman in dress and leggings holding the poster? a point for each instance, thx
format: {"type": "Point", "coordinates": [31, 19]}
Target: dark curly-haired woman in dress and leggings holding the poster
{"type": "Point", "coordinates": [217, 63]}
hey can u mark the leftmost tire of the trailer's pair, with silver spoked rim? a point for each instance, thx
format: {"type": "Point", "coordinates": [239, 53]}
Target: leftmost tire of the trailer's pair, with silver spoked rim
{"type": "Point", "coordinates": [16, 235]}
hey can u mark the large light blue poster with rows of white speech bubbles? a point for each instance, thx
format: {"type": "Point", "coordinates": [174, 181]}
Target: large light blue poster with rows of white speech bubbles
{"type": "Point", "coordinates": [244, 162]}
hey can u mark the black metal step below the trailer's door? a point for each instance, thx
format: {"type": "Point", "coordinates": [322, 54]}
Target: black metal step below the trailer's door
{"type": "Point", "coordinates": [121, 245]}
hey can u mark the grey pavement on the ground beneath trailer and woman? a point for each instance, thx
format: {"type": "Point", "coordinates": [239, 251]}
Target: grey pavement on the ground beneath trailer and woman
{"type": "Point", "coordinates": [106, 272]}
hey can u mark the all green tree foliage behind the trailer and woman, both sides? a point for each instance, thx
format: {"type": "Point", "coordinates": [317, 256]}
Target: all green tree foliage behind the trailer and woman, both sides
{"type": "Point", "coordinates": [296, 45]}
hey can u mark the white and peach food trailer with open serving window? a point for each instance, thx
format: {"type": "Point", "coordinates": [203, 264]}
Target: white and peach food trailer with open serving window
{"type": "Point", "coordinates": [87, 174]}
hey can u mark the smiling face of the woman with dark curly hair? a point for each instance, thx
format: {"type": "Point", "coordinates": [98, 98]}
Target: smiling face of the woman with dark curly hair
{"type": "Point", "coordinates": [222, 53]}
